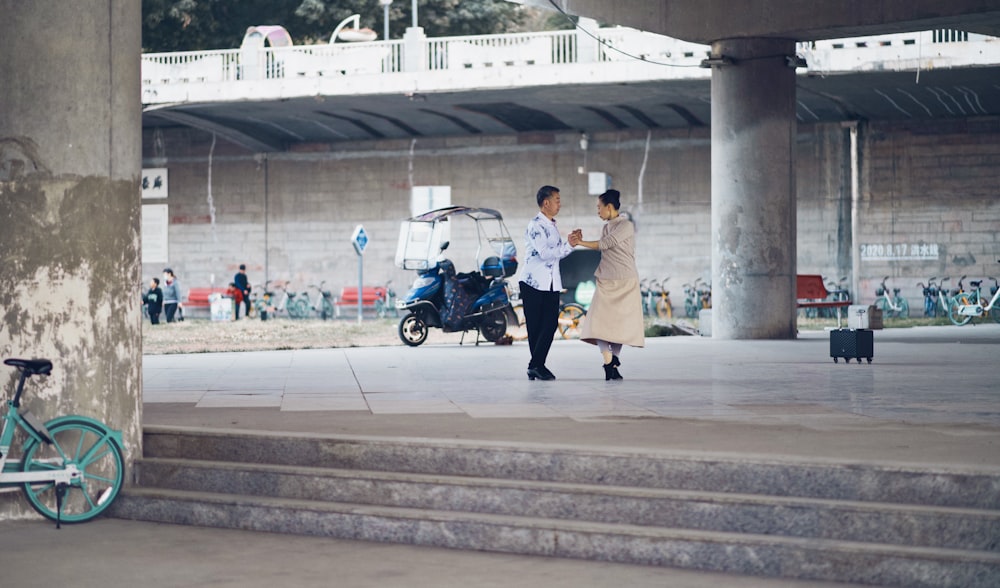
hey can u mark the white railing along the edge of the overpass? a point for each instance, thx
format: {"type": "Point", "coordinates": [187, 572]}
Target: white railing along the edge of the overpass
{"type": "Point", "coordinates": [531, 50]}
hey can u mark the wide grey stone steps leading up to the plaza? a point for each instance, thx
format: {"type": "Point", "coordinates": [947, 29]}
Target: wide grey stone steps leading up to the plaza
{"type": "Point", "coordinates": [808, 520]}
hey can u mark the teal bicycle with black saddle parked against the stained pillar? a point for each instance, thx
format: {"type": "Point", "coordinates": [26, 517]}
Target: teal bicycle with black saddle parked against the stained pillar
{"type": "Point", "coordinates": [71, 468]}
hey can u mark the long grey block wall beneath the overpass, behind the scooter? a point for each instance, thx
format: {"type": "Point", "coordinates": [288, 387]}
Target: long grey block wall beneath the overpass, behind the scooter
{"type": "Point", "coordinates": [289, 216]}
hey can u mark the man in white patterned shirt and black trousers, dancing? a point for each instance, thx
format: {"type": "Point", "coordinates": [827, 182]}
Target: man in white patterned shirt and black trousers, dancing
{"type": "Point", "coordinates": [541, 282]}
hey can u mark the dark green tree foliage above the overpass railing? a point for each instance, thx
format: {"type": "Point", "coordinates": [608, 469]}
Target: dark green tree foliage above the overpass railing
{"type": "Point", "coordinates": [194, 25]}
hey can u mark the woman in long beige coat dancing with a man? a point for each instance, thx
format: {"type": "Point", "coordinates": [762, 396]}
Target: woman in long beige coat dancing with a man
{"type": "Point", "coordinates": [615, 315]}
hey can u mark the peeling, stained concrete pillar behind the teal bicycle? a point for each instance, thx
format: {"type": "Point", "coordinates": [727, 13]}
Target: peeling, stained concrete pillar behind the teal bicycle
{"type": "Point", "coordinates": [70, 163]}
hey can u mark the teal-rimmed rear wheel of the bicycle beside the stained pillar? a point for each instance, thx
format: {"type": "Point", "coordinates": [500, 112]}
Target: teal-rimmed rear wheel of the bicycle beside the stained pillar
{"type": "Point", "coordinates": [97, 456]}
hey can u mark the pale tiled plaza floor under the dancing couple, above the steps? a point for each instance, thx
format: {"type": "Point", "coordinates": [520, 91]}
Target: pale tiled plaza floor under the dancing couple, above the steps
{"type": "Point", "coordinates": [930, 395]}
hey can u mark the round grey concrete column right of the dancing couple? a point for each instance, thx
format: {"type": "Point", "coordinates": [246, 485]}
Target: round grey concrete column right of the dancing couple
{"type": "Point", "coordinates": [753, 190]}
